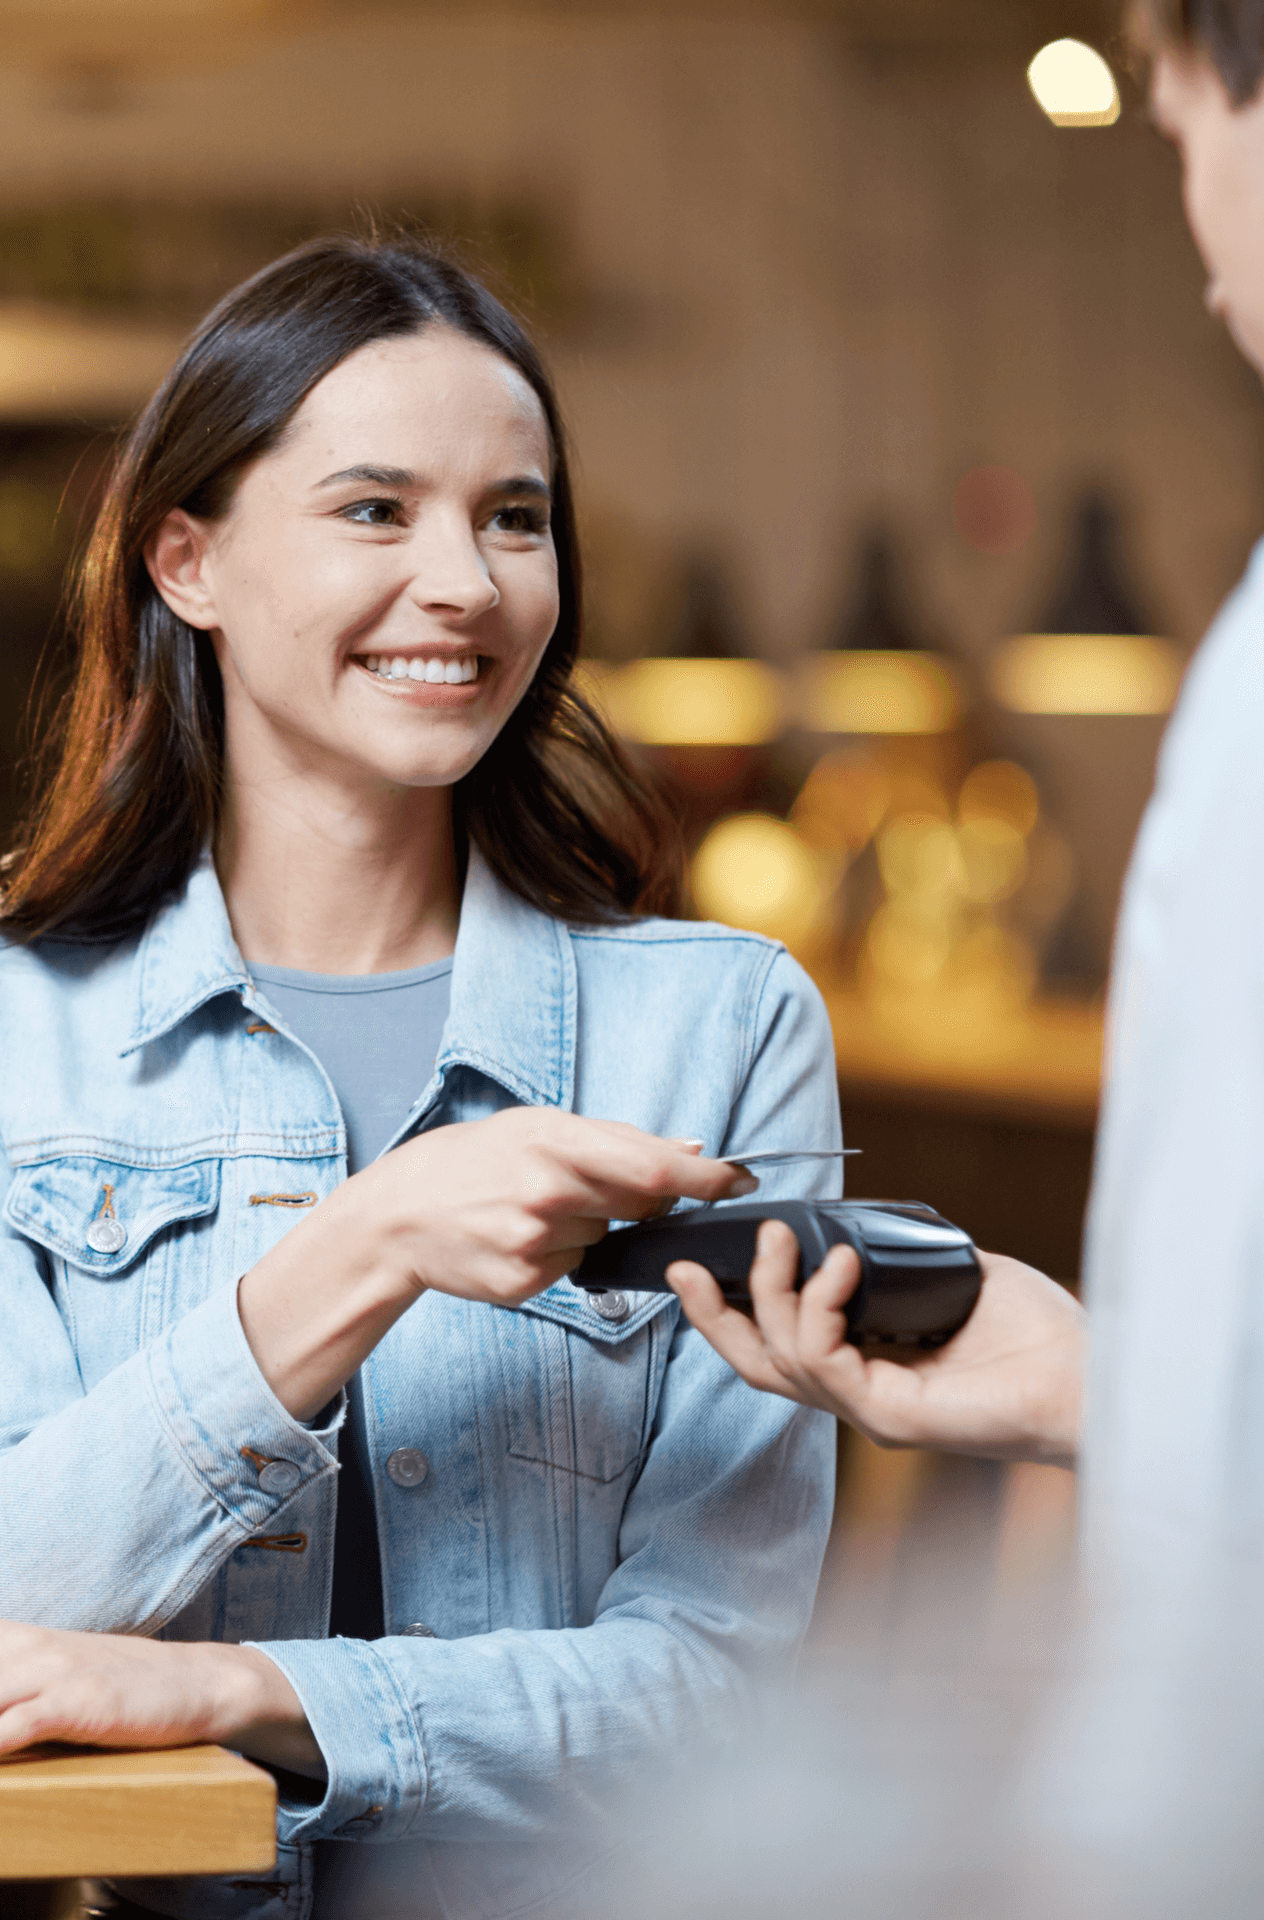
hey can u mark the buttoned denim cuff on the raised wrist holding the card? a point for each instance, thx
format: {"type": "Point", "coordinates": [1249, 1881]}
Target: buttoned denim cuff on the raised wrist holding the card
{"type": "Point", "coordinates": [228, 1424]}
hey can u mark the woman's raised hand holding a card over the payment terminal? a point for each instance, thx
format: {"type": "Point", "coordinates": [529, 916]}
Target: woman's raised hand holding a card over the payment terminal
{"type": "Point", "coordinates": [489, 1211]}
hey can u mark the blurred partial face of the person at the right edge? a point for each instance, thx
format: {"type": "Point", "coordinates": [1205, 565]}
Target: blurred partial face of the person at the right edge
{"type": "Point", "coordinates": [1223, 160]}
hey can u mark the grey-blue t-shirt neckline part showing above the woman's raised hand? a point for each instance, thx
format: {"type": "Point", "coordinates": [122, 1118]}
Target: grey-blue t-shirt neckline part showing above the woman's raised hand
{"type": "Point", "coordinates": [376, 1036]}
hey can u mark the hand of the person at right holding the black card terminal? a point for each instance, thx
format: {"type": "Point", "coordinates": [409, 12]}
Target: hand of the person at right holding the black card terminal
{"type": "Point", "coordinates": [1008, 1387]}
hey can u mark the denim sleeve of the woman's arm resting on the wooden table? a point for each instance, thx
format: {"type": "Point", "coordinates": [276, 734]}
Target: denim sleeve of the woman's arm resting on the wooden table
{"type": "Point", "coordinates": [719, 1554]}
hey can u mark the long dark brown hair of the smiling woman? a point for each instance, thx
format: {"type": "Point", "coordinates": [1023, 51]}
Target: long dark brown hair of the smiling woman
{"type": "Point", "coordinates": [134, 775]}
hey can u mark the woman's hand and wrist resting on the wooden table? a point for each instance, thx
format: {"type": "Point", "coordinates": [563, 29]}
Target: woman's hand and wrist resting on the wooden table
{"type": "Point", "coordinates": [114, 1691]}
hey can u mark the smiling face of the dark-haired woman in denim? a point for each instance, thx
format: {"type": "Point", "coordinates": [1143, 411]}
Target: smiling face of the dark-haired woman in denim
{"type": "Point", "coordinates": [385, 585]}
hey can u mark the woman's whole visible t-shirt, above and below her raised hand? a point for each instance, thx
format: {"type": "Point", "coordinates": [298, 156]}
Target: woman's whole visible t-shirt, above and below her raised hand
{"type": "Point", "coordinates": [377, 1038]}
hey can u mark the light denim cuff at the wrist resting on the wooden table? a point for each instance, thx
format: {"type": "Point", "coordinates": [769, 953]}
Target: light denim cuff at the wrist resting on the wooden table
{"type": "Point", "coordinates": [372, 1746]}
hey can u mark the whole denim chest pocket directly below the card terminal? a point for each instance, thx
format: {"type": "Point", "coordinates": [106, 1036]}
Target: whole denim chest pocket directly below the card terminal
{"type": "Point", "coordinates": [581, 1389]}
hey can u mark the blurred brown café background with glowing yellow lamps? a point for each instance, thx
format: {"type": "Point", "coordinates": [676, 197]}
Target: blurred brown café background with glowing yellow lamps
{"type": "Point", "coordinates": [912, 469]}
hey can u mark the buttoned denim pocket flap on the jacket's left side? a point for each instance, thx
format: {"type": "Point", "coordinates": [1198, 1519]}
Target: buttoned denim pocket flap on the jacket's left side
{"type": "Point", "coordinates": [99, 1214]}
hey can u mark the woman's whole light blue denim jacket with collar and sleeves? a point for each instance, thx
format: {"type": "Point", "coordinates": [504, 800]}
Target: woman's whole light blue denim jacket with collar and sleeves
{"type": "Point", "coordinates": [616, 1541]}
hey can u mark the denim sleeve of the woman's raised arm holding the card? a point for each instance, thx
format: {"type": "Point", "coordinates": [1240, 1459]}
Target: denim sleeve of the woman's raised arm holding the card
{"type": "Point", "coordinates": [120, 1502]}
